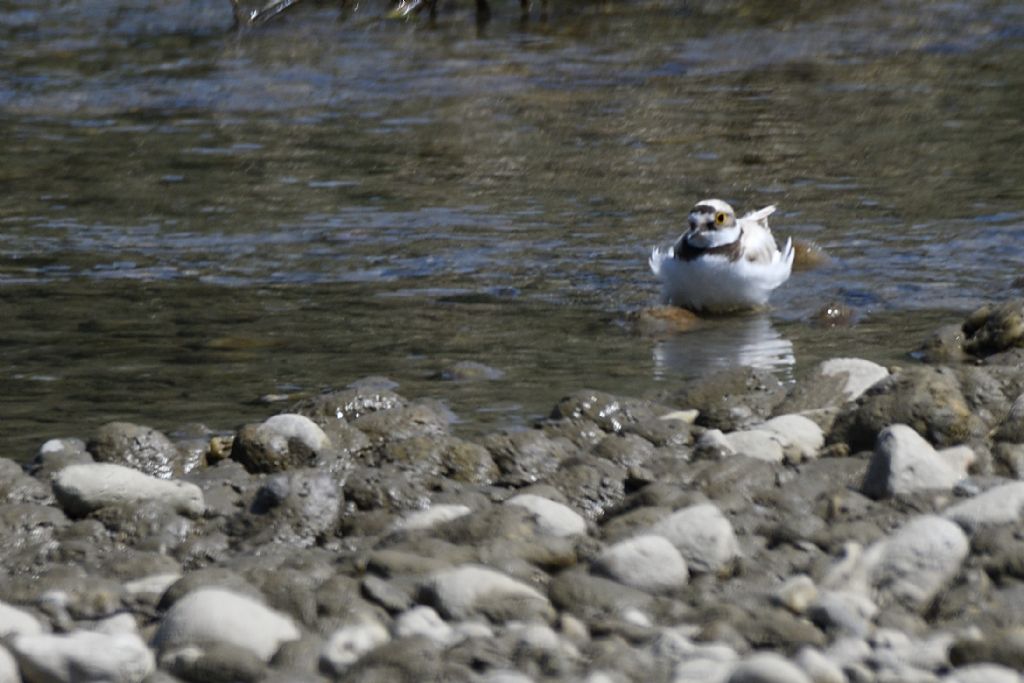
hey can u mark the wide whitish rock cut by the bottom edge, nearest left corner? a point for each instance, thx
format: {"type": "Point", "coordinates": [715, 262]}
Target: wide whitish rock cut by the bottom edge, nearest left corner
{"type": "Point", "coordinates": [83, 657]}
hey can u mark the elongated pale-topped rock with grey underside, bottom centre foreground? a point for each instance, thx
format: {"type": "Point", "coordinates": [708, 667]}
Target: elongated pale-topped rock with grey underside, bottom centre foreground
{"type": "Point", "coordinates": [467, 591]}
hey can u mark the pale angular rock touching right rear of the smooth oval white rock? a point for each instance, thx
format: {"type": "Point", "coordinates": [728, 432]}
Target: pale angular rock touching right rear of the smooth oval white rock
{"type": "Point", "coordinates": [703, 536]}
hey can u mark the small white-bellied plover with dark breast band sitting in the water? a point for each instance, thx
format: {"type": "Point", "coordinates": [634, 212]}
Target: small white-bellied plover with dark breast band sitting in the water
{"type": "Point", "coordinates": [722, 263]}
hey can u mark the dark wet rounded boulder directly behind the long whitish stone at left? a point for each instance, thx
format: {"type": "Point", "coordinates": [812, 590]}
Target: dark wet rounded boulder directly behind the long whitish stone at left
{"type": "Point", "coordinates": [141, 448]}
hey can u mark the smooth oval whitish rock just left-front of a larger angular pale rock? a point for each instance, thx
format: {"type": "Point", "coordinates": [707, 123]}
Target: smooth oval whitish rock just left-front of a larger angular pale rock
{"type": "Point", "coordinates": [649, 563]}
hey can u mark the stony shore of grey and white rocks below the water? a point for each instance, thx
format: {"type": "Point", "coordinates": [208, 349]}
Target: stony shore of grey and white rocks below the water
{"type": "Point", "coordinates": [864, 525]}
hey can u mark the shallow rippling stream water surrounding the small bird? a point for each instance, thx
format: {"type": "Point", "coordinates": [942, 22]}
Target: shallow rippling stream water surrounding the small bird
{"type": "Point", "coordinates": [192, 219]}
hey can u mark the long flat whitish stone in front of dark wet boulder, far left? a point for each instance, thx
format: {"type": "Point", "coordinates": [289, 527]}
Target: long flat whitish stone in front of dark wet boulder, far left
{"type": "Point", "coordinates": [82, 489]}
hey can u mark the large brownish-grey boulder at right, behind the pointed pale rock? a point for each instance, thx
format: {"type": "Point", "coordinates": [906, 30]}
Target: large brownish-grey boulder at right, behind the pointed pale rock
{"type": "Point", "coordinates": [927, 399]}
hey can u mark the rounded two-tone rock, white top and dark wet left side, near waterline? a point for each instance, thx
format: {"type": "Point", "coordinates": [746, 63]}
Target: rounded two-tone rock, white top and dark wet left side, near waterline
{"type": "Point", "coordinates": [281, 443]}
